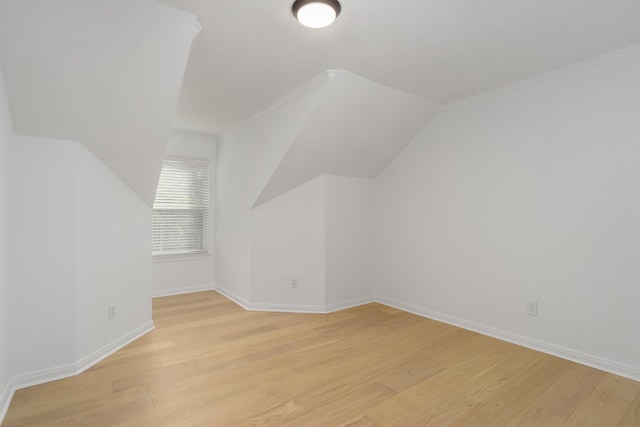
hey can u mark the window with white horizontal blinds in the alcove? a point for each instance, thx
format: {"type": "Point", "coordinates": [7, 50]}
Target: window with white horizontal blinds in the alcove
{"type": "Point", "coordinates": [181, 208]}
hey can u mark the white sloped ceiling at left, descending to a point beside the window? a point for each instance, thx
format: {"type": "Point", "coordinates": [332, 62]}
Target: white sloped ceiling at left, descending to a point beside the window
{"type": "Point", "coordinates": [106, 74]}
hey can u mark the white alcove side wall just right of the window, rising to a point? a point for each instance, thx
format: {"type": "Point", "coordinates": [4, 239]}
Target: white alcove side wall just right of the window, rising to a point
{"type": "Point", "coordinates": [246, 161]}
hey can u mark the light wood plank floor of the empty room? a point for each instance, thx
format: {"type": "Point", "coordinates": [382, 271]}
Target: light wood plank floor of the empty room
{"type": "Point", "coordinates": [210, 363]}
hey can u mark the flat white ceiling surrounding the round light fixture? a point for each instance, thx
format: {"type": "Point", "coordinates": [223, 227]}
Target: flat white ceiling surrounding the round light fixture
{"type": "Point", "coordinates": [252, 52]}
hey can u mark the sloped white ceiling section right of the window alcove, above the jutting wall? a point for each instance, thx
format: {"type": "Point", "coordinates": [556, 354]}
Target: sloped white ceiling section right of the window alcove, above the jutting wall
{"type": "Point", "coordinates": [356, 129]}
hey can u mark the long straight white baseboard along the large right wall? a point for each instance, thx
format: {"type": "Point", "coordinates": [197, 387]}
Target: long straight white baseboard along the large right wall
{"type": "Point", "coordinates": [544, 347]}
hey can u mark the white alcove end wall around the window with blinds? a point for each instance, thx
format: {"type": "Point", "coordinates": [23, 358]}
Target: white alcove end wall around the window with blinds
{"type": "Point", "coordinates": [180, 275]}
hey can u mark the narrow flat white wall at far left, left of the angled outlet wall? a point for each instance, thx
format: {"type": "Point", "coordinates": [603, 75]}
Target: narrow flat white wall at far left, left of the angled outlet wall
{"type": "Point", "coordinates": [43, 254]}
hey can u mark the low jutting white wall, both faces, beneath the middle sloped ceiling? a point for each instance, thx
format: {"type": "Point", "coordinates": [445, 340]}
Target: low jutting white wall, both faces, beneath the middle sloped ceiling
{"type": "Point", "coordinates": [321, 234]}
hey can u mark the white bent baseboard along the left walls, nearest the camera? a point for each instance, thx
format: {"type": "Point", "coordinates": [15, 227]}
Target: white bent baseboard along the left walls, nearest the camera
{"type": "Point", "coordinates": [64, 371]}
